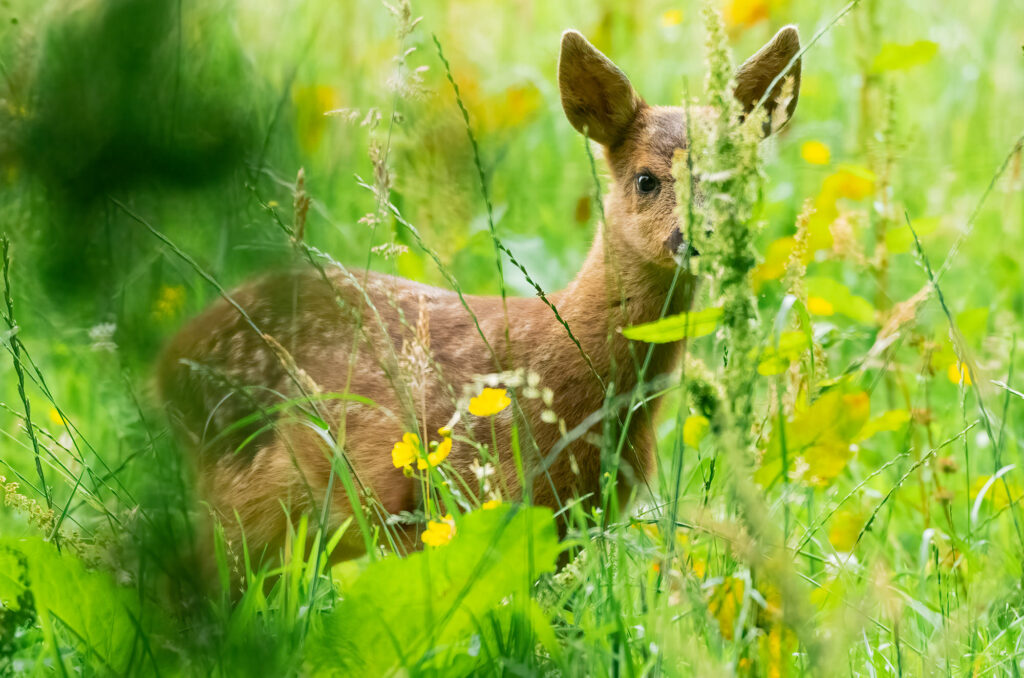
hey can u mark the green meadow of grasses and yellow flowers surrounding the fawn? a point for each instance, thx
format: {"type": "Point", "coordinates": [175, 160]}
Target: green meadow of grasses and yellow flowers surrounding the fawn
{"type": "Point", "coordinates": [840, 465]}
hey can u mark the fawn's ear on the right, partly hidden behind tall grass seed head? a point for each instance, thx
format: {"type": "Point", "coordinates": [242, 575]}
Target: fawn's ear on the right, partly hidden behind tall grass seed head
{"type": "Point", "coordinates": [758, 72]}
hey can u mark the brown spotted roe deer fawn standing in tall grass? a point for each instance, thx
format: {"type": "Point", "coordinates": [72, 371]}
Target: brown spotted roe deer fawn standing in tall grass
{"type": "Point", "coordinates": [305, 333]}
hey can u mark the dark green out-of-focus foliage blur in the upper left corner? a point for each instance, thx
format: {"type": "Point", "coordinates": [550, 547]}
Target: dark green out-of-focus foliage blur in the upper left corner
{"type": "Point", "coordinates": [126, 99]}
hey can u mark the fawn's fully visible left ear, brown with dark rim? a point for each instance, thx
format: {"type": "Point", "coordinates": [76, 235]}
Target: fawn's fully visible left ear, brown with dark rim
{"type": "Point", "coordinates": [598, 98]}
